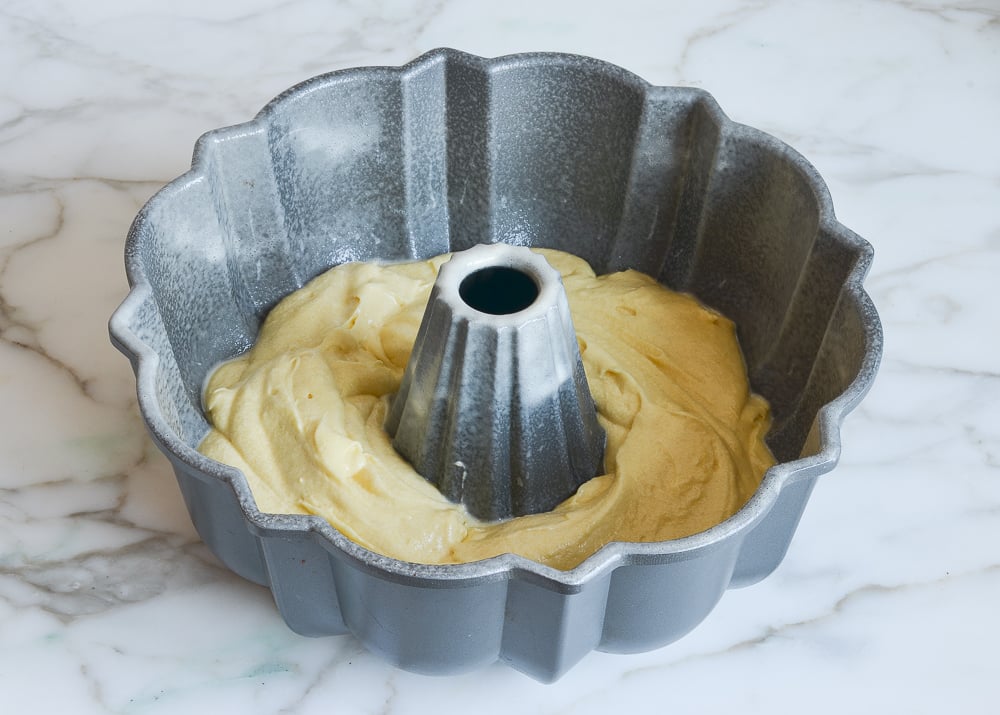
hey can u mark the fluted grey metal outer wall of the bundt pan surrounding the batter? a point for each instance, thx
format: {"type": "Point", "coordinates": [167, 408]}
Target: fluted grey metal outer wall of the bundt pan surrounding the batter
{"type": "Point", "coordinates": [442, 154]}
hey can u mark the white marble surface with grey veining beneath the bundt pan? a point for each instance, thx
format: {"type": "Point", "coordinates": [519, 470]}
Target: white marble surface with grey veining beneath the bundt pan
{"type": "Point", "coordinates": [887, 600]}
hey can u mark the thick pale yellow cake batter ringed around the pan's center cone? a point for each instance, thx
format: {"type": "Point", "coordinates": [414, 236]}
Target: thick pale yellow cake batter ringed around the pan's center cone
{"type": "Point", "coordinates": [301, 415]}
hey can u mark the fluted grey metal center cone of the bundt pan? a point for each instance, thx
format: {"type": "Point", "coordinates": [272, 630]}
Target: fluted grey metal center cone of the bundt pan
{"type": "Point", "coordinates": [494, 406]}
